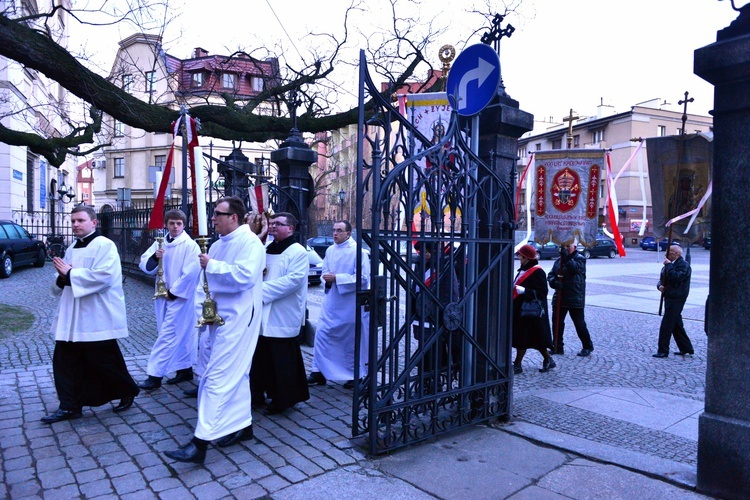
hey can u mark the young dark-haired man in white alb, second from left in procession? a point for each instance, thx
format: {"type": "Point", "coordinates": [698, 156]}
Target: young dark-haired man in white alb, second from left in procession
{"type": "Point", "coordinates": [175, 348]}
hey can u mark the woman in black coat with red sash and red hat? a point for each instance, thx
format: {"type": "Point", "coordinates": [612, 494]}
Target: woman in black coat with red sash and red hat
{"type": "Point", "coordinates": [531, 328]}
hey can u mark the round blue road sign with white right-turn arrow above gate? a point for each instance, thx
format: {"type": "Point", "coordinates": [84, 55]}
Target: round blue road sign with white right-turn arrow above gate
{"type": "Point", "coordinates": [473, 79]}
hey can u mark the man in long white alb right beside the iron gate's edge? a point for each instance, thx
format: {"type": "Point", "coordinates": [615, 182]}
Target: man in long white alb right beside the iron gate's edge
{"type": "Point", "coordinates": [333, 357]}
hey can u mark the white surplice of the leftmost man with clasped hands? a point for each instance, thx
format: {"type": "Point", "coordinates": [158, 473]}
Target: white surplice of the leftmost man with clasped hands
{"type": "Point", "coordinates": [92, 308]}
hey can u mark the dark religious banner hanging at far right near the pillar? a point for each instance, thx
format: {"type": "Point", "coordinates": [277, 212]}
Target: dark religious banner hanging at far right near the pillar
{"type": "Point", "coordinates": [679, 170]}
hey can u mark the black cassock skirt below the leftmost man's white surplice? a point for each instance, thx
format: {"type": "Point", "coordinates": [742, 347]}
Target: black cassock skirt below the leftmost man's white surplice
{"type": "Point", "coordinates": [90, 374]}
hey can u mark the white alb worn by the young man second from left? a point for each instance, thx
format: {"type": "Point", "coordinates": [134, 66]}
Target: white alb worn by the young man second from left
{"type": "Point", "coordinates": [175, 347]}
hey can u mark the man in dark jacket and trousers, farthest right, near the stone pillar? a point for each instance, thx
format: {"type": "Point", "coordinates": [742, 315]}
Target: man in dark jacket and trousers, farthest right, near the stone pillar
{"type": "Point", "coordinates": [674, 283]}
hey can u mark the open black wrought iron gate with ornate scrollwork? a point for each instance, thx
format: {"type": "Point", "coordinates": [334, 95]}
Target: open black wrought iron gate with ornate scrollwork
{"type": "Point", "coordinates": [439, 328]}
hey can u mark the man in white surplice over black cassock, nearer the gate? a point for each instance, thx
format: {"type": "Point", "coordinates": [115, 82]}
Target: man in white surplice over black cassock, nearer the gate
{"type": "Point", "coordinates": [278, 370]}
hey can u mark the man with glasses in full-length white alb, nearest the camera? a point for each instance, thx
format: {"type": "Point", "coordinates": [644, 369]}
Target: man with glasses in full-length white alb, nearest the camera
{"type": "Point", "coordinates": [234, 271]}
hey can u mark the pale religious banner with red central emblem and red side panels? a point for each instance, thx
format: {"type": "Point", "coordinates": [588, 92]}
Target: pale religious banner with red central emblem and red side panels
{"type": "Point", "coordinates": [566, 195]}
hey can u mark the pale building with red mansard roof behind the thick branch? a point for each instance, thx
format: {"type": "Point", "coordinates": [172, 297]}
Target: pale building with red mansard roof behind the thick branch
{"type": "Point", "coordinates": [142, 68]}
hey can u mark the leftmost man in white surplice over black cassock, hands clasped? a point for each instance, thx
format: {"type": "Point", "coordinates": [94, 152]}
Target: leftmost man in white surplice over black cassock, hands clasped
{"type": "Point", "coordinates": [87, 363]}
